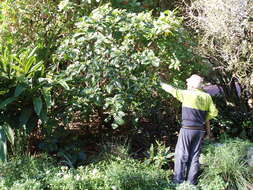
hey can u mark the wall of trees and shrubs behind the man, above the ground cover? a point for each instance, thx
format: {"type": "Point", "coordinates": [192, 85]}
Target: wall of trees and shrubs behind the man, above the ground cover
{"type": "Point", "coordinates": [75, 74]}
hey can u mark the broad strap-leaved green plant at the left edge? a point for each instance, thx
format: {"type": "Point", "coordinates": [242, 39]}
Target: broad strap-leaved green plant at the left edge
{"type": "Point", "coordinates": [25, 92]}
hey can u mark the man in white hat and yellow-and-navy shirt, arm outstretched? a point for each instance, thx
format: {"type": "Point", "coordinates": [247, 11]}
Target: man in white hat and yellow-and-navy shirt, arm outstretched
{"type": "Point", "coordinates": [197, 109]}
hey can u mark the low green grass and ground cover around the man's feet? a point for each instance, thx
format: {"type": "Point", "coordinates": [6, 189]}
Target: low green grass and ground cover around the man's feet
{"type": "Point", "coordinates": [223, 167]}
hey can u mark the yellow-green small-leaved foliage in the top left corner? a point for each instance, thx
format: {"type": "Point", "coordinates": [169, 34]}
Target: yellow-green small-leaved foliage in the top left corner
{"type": "Point", "coordinates": [41, 24]}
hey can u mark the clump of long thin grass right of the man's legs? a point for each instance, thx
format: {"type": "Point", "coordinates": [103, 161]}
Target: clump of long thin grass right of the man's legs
{"type": "Point", "coordinates": [226, 166]}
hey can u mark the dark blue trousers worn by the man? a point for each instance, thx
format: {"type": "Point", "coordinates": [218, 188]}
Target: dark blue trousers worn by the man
{"type": "Point", "coordinates": [187, 155]}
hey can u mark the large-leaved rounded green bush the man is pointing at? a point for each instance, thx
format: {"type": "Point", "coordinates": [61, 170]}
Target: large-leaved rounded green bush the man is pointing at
{"type": "Point", "coordinates": [113, 61]}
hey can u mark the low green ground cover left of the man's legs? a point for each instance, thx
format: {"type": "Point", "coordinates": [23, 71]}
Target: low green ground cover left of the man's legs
{"type": "Point", "coordinates": [42, 173]}
